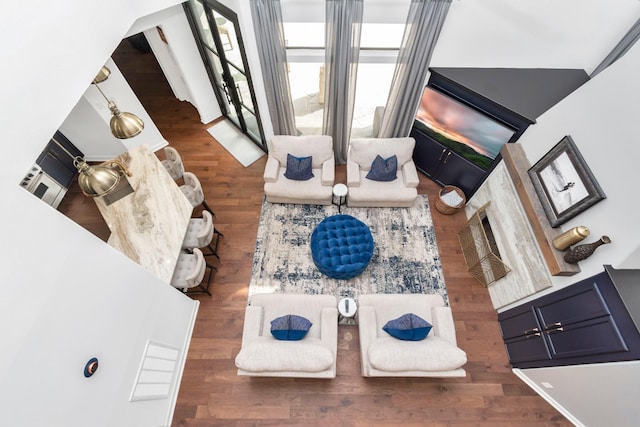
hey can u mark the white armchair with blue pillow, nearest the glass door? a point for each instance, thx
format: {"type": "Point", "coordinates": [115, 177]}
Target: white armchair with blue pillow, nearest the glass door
{"type": "Point", "coordinates": [315, 191]}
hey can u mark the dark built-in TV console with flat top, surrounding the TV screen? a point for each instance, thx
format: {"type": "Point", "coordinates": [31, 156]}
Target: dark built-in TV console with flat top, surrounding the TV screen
{"type": "Point", "coordinates": [513, 97]}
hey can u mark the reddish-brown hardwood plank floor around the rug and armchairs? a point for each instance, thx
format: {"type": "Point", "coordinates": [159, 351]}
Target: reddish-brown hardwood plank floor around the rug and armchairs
{"type": "Point", "coordinates": [212, 394]}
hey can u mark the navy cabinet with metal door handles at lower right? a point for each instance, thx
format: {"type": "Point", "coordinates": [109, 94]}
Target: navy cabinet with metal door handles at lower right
{"type": "Point", "coordinates": [584, 323]}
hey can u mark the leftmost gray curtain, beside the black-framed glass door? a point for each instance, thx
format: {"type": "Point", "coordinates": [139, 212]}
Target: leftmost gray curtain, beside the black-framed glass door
{"type": "Point", "coordinates": [267, 21]}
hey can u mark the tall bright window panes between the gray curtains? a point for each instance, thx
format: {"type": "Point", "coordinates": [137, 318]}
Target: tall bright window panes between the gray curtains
{"type": "Point", "coordinates": [381, 36]}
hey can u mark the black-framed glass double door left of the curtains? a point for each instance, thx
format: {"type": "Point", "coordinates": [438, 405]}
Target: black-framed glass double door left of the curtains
{"type": "Point", "coordinates": [223, 53]}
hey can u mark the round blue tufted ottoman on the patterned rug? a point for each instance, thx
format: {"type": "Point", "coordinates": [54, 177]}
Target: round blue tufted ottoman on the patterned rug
{"type": "Point", "coordinates": [341, 246]}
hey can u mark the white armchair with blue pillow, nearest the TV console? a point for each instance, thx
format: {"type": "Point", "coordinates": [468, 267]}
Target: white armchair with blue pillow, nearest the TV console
{"type": "Point", "coordinates": [363, 192]}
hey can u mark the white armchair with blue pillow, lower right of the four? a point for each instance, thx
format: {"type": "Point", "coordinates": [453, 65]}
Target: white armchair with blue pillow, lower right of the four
{"type": "Point", "coordinates": [385, 356]}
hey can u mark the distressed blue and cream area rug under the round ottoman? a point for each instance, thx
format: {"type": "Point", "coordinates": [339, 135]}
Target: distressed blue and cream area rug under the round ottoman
{"type": "Point", "coordinates": [405, 258]}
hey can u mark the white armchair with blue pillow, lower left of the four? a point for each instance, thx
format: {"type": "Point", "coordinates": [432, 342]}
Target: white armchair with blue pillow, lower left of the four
{"type": "Point", "coordinates": [313, 357]}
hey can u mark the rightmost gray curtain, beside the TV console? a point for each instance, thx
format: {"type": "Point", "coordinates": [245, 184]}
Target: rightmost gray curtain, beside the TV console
{"type": "Point", "coordinates": [424, 22]}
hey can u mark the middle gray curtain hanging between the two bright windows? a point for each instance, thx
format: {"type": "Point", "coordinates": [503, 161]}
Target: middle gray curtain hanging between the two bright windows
{"type": "Point", "coordinates": [342, 46]}
